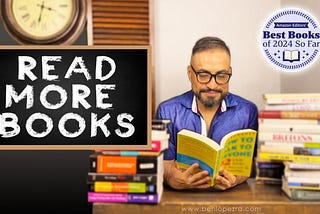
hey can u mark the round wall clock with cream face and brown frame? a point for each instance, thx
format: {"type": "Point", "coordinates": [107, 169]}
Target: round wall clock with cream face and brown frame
{"type": "Point", "coordinates": [44, 22]}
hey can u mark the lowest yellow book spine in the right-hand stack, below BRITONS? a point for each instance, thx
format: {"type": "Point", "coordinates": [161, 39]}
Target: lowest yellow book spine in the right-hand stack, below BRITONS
{"type": "Point", "coordinates": [288, 157]}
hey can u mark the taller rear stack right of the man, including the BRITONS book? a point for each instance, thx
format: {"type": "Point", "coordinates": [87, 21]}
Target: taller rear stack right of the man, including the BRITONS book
{"type": "Point", "coordinates": [289, 130]}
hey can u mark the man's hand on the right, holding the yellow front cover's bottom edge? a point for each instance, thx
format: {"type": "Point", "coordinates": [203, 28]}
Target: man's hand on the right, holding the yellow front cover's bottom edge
{"type": "Point", "coordinates": [225, 180]}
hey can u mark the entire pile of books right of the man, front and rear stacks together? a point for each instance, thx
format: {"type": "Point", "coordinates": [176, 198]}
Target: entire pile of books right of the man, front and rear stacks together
{"type": "Point", "coordinates": [289, 144]}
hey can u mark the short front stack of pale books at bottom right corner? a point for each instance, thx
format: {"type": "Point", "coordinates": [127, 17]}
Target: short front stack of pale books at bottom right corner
{"type": "Point", "coordinates": [301, 181]}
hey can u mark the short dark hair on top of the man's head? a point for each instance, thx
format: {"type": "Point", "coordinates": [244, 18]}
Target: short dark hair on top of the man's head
{"type": "Point", "coordinates": [210, 42]}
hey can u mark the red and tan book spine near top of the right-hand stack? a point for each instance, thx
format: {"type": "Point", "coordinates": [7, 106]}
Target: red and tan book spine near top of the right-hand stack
{"type": "Point", "coordinates": [289, 114]}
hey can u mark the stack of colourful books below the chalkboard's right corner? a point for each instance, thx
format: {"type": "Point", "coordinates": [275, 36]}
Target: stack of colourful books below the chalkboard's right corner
{"type": "Point", "coordinates": [134, 176]}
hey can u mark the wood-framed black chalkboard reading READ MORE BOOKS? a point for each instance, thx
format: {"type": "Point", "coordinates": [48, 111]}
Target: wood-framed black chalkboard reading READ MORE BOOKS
{"type": "Point", "coordinates": [75, 97]}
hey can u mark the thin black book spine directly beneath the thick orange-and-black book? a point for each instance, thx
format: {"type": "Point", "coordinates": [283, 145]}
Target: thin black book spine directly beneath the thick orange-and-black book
{"type": "Point", "coordinates": [148, 178]}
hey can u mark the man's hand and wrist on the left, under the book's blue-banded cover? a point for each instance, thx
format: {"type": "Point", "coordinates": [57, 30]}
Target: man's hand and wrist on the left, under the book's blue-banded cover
{"type": "Point", "coordinates": [187, 179]}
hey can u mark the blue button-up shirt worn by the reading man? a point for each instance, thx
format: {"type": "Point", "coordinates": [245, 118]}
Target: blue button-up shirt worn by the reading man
{"type": "Point", "coordinates": [234, 113]}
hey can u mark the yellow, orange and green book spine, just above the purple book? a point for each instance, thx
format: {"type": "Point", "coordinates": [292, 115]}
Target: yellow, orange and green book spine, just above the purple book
{"type": "Point", "coordinates": [123, 187]}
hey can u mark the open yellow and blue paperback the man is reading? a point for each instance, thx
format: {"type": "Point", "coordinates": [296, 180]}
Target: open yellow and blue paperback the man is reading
{"type": "Point", "coordinates": [235, 152]}
